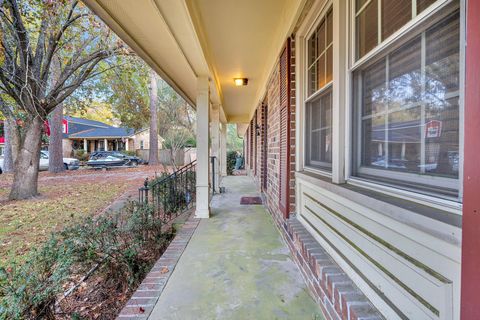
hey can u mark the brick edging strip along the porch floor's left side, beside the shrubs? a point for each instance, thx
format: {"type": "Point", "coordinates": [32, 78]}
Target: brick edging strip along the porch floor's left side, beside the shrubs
{"type": "Point", "coordinates": [142, 302]}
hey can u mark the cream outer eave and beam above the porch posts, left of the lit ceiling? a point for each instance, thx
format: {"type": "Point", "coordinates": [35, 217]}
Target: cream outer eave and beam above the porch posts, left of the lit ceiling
{"type": "Point", "coordinates": [141, 24]}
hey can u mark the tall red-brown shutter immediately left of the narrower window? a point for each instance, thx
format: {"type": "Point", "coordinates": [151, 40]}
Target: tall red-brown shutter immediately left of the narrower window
{"type": "Point", "coordinates": [284, 196]}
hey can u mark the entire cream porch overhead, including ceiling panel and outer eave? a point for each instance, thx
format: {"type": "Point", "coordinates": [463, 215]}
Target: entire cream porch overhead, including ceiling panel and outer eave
{"type": "Point", "coordinates": [222, 39]}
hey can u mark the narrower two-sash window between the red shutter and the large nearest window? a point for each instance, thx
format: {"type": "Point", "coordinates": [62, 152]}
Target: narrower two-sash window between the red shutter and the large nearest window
{"type": "Point", "coordinates": [318, 105]}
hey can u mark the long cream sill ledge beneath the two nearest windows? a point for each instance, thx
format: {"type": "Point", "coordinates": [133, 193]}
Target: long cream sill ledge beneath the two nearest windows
{"type": "Point", "coordinates": [441, 224]}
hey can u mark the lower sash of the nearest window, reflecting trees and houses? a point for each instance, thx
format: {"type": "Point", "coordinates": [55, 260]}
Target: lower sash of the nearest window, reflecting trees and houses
{"type": "Point", "coordinates": [406, 105]}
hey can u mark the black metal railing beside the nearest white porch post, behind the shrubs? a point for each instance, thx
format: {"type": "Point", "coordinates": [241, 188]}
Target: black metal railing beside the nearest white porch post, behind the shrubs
{"type": "Point", "coordinates": [171, 194]}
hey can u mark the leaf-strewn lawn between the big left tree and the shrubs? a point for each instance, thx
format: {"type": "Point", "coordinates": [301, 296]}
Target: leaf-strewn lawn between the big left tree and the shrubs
{"type": "Point", "coordinates": [27, 223]}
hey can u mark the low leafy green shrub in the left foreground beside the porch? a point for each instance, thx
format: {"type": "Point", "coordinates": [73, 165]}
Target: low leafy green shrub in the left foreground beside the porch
{"type": "Point", "coordinates": [119, 242]}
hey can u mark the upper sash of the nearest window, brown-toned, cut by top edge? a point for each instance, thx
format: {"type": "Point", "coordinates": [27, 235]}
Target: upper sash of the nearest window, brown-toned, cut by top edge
{"type": "Point", "coordinates": [376, 20]}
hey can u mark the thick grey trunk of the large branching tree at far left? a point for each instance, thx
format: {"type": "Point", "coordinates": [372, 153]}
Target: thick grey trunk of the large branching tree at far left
{"type": "Point", "coordinates": [25, 178]}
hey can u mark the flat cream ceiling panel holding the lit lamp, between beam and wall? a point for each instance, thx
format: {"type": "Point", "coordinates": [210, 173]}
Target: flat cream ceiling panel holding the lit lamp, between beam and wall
{"type": "Point", "coordinates": [243, 39]}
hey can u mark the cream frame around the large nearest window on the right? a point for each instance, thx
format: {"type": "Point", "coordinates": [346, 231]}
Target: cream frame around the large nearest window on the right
{"type": "Point", "coordinates": [393, 42]}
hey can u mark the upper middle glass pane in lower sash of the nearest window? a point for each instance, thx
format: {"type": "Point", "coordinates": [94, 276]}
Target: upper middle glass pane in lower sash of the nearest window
{"type": "Point", "coordinates": [405, 83]}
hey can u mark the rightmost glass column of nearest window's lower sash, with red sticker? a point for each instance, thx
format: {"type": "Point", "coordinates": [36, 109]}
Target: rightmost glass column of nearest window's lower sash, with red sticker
{"type": "Point", "coordinates": [442, 77]}
